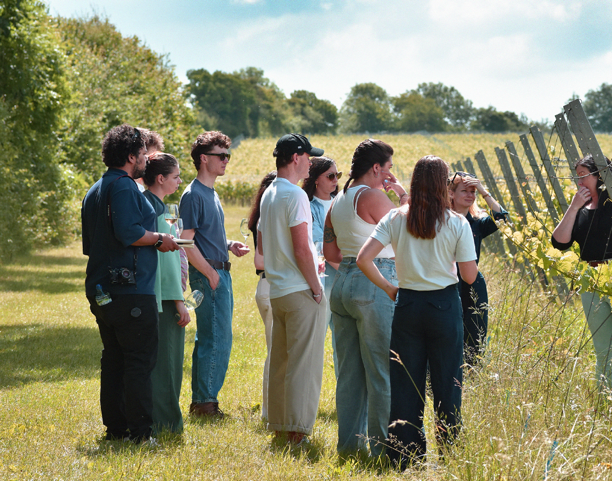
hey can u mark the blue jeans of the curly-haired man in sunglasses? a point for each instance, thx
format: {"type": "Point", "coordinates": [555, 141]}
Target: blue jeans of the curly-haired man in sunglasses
{"type": "Point", "coordinates": [213, 340]}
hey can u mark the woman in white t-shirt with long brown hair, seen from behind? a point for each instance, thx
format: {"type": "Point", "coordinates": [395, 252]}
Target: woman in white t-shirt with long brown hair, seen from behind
{"type": "Point", "coordinates": [429, 241]}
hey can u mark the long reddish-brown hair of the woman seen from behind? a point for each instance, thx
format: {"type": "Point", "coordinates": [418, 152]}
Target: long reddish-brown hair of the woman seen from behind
{"type": "Point", "coordinates": [428, 197]}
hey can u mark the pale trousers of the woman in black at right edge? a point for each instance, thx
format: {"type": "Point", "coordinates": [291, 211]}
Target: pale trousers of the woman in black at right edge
{"type": "Point", "coordinates": [598, 313]}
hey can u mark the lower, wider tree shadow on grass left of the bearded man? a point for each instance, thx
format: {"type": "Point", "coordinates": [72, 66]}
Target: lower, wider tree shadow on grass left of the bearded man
{"type": "Point", "coordinates": [37, 353]}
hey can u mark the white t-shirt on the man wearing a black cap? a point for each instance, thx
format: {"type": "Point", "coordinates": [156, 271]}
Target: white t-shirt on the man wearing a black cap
{"type": "Point", "coordinates": [284, 205]}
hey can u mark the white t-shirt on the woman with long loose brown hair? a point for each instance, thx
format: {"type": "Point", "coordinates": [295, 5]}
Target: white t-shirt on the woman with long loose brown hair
{"type": "Point", "coordinates": [426, 264]}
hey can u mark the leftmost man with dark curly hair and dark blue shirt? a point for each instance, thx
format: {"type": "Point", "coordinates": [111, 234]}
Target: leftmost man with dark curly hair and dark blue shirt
{"type": "Point", "coordinates": [119, 237]}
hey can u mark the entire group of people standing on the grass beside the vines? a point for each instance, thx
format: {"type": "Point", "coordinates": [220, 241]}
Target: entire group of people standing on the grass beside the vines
{"type": "Point", "coordinates": [398, 286]}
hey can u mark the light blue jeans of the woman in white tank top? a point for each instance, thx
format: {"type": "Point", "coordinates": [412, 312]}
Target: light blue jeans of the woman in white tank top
{"type": "Point", "coordinates": [362, 315]}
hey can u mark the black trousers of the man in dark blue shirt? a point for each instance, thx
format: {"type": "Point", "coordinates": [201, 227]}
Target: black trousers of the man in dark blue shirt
{"type": "Point", "coordinates": [128, 328]}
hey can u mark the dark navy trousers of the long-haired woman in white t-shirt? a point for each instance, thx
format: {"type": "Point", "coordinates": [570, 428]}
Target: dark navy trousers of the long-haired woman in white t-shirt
{"type": "Point", "coordinates": [427, 329]}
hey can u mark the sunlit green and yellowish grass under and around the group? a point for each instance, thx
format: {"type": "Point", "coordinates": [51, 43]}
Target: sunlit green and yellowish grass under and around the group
{"type": "Point", "coordinates": [532, 403]}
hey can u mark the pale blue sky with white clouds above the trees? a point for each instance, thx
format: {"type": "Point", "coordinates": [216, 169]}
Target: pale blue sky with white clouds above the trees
{"type": "Point", "coordinates": [519, 55]}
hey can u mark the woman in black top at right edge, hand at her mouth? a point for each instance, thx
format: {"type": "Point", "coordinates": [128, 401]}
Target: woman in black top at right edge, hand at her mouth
{"type": "Point", "coordinates": [588, 221]}
